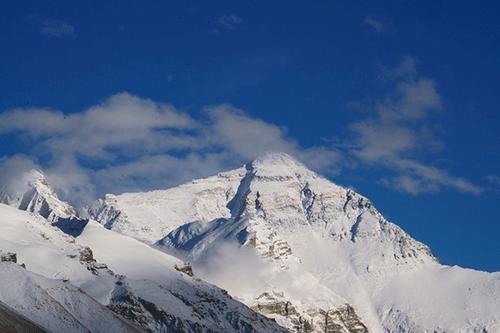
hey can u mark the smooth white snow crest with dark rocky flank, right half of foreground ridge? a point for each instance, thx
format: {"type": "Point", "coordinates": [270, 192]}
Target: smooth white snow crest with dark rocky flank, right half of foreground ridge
{"type": "Point", "coordinates": [152, 277]}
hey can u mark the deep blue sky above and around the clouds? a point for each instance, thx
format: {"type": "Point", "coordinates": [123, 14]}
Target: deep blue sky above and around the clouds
{"type": "Point", "coordinates": [294, 64]}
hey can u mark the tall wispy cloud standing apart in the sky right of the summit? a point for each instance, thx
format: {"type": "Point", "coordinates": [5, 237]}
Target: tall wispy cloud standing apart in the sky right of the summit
{"type": "Point", "coordinates": [398, 129]}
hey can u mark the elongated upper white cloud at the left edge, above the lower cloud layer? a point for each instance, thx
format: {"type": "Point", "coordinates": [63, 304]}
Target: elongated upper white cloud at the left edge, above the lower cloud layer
{"type": "Point", "coordinates": [122, 124]}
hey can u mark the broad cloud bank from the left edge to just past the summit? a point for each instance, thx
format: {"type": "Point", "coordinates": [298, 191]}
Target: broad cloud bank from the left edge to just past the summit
{"type": "Point", "coordinates": [127, 143]}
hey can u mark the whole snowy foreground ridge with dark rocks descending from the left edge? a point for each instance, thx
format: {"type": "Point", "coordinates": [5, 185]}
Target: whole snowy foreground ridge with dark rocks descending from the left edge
{"type": "Point", "coordinates": [64, 289]}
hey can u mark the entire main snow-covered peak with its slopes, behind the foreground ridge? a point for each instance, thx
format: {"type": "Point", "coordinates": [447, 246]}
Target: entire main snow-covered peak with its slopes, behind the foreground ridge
{"type": "Point", "coordinates": [298, 248]}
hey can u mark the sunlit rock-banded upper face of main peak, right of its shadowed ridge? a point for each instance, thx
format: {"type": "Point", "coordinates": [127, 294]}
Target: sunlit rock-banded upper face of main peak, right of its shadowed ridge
{"type": "Point", "coordinates": [286, 202]}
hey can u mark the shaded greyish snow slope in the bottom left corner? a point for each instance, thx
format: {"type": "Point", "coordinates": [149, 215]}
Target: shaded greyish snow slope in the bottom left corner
{"type": "Point", "coordinates": [55, 305]}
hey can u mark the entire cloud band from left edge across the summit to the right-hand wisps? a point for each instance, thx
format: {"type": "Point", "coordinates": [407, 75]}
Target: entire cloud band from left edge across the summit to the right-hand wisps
{"type": "Point", "coordinates": [128, 143]}
